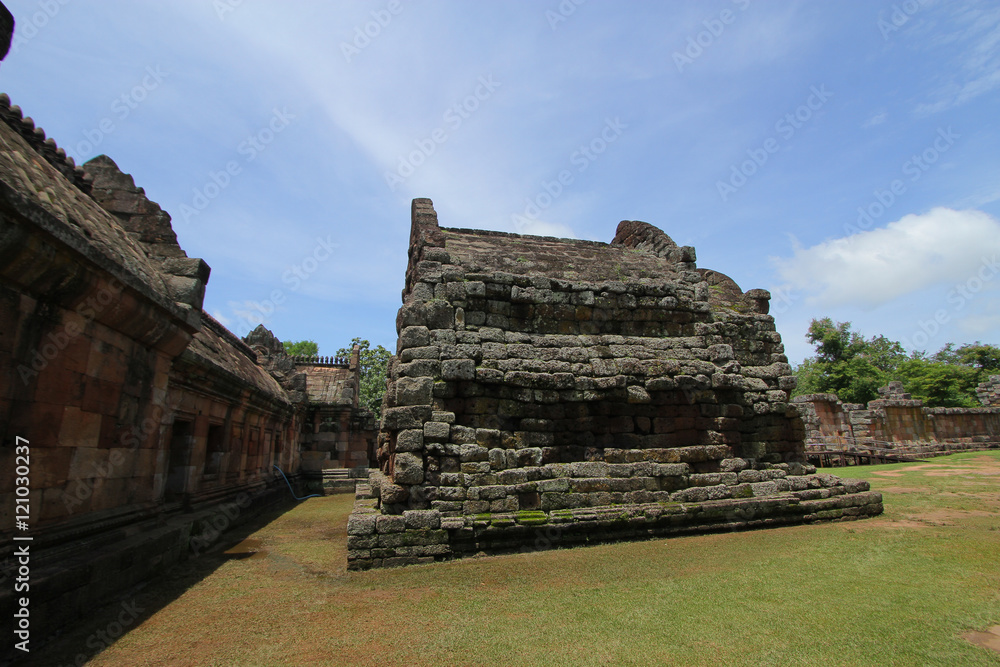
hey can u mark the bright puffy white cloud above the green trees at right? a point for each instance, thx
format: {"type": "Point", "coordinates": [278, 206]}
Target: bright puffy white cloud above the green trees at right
{"type": "Point", "coordinates": [943, 246]}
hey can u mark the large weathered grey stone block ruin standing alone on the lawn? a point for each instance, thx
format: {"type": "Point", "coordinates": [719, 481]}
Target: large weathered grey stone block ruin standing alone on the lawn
{"type": "Point", "coordinates": [554, 392]}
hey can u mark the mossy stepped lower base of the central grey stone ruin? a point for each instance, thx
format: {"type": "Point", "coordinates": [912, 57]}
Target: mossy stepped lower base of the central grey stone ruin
{"type": "Point", "coordinates": [594, 502]}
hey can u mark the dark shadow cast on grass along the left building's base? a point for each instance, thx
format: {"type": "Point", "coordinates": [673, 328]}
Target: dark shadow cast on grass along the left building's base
{"type": "Point", "coordinates": [78, 644]}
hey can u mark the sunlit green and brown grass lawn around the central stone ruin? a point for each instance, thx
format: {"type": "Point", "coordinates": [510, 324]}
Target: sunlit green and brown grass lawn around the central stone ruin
{"type": "Point", "coordinates": [899, 589]}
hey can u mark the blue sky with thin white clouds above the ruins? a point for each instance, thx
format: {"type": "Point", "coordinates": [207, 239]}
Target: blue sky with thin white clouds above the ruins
{"type": "Point", "coordinates": [842, 154]}
